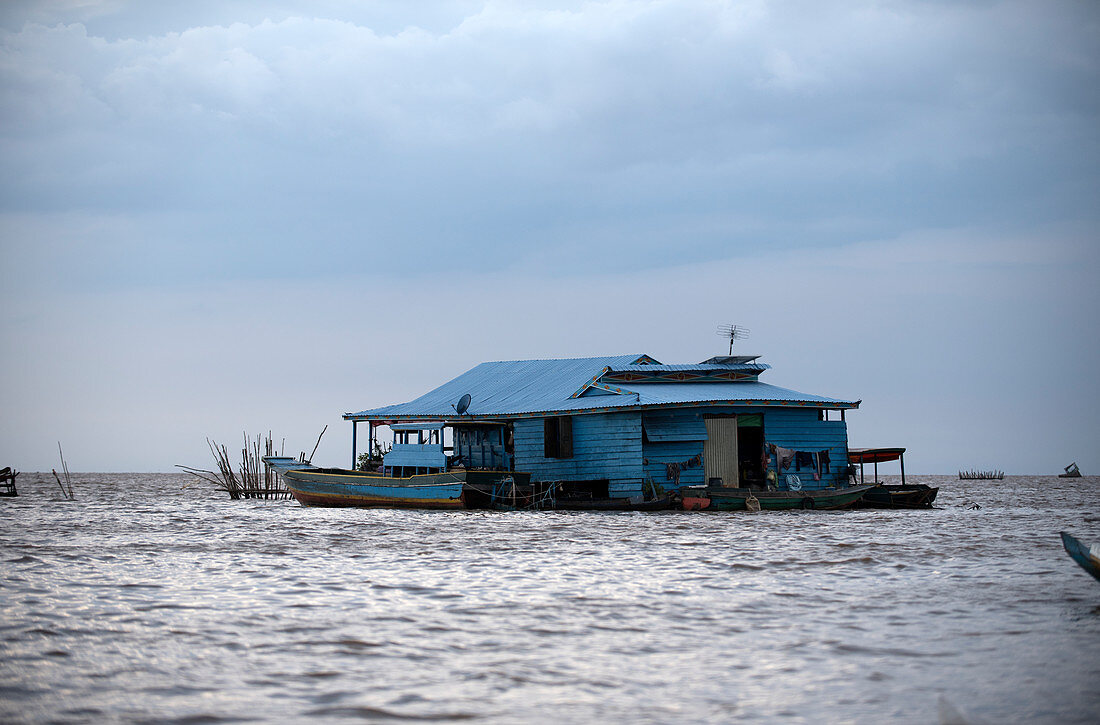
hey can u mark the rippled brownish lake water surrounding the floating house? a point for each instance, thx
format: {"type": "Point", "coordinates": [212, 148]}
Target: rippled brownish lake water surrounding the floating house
{"type": "Point", "coordinates": [153, 599]}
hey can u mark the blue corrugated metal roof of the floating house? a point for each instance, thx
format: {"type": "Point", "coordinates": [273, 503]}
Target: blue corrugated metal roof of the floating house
{"type": "Point", "coordinates": [531, 387]}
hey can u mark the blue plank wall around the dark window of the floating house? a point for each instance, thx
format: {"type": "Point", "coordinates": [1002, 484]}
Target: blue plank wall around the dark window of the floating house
{"type": "Point", "coordinates": [606, 446]}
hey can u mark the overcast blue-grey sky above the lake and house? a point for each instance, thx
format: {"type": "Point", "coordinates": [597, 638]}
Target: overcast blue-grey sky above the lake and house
{"type": "Point", "coordinates": [224, 217]}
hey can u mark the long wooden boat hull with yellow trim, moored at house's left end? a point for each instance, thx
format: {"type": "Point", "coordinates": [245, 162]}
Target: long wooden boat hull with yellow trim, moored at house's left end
{"type": "Point", "coordinates": [317, 487]}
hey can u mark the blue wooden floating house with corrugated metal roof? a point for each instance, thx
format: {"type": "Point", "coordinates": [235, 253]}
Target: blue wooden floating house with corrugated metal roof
{"type": "Point", "coordinates": [619, 426]}
